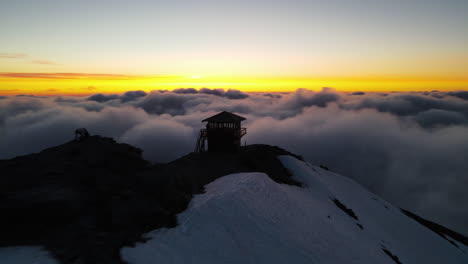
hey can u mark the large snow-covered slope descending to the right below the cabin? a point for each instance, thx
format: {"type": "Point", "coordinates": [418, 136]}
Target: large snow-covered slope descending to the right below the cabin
{"type": "Point", "coordinates": [248, 218]}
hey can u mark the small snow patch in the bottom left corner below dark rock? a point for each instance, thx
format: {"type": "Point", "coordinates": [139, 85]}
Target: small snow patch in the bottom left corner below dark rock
{"type": "Point", "coordinates": [25, 255]}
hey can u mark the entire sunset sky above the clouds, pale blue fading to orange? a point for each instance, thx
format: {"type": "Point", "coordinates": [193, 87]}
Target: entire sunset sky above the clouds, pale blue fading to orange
{"type": "Point", "coordinates": [84, 47]}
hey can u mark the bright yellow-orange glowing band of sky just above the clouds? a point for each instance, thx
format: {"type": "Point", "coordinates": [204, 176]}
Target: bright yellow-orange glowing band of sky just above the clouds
{"type": "Point", "coordinates": [85, 84]}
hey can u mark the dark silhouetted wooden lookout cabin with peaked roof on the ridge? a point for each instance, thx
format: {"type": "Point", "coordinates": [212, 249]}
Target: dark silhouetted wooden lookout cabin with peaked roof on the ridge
{"type": "Point", "coordinates": [223, 133]}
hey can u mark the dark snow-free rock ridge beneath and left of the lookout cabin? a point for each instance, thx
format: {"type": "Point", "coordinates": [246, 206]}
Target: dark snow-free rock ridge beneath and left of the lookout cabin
{"type": "Point", "coordinates": [85, 200]}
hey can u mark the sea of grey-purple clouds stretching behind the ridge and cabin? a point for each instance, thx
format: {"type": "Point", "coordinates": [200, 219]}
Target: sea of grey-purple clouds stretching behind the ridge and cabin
{"type": "Point", "coordinates": [410, 148]}
